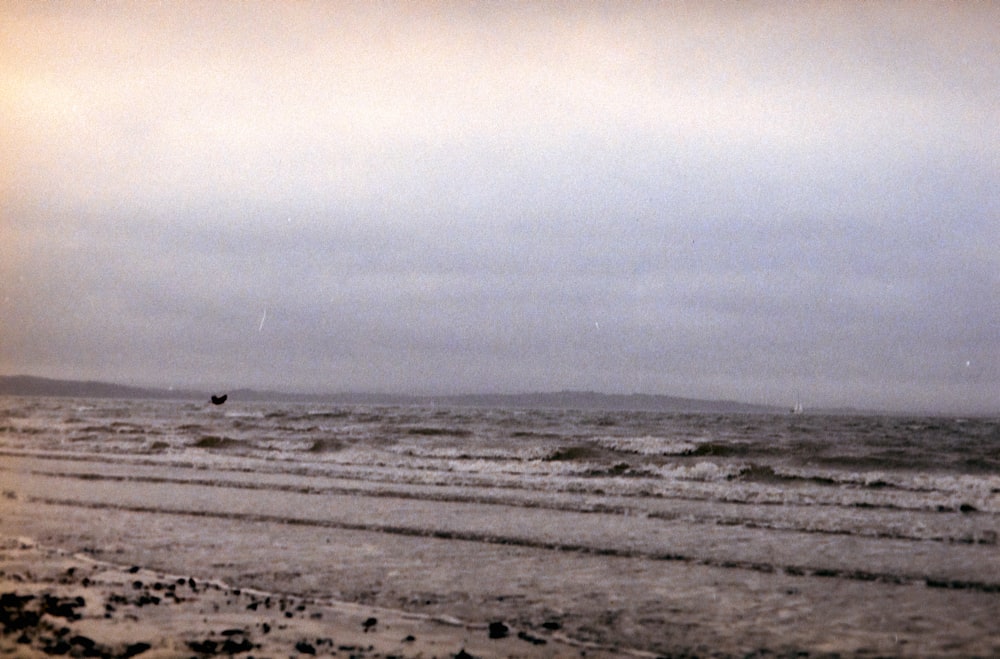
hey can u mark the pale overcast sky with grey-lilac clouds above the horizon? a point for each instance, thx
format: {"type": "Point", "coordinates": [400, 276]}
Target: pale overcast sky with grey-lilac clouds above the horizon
{"type": "Point", "coordinates": [749, 201]}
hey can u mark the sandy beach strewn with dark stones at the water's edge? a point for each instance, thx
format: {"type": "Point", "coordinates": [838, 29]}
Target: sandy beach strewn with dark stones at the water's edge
{"type": "Point", "coordinates": [56, 603]}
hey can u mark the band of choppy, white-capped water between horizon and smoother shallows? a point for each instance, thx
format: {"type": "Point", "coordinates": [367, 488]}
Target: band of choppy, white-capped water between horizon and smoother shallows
{"type": "Point", "coordinates": [904, 464]}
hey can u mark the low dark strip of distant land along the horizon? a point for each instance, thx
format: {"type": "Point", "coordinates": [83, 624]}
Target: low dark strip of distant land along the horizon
{"type": "Point", "coordinates": [26, 385]}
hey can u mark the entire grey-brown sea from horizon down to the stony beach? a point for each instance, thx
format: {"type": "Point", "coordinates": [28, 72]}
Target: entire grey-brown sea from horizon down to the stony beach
{"type": "Point", "coordinates": [655, 533]}
